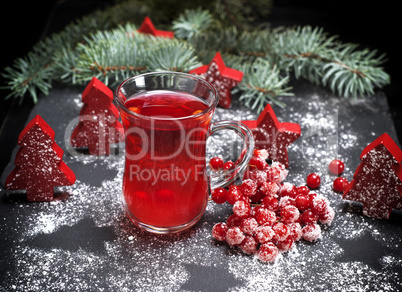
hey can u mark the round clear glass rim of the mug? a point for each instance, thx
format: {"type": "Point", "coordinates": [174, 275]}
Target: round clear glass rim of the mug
{"type": "Point", "coordinates": [210, 107]}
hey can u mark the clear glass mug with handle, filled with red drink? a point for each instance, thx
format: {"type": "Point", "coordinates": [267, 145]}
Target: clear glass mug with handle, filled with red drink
{"type": "Point", "coordinates": [167, 119]}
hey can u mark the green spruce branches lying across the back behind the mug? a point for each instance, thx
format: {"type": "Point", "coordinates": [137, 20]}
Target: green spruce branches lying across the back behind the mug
{"type": "Point", "coordinates": [108, 46]}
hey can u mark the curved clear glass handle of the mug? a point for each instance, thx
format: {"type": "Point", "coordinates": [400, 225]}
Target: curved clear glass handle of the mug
{"type": "Point", "coordinates": [224, 179]}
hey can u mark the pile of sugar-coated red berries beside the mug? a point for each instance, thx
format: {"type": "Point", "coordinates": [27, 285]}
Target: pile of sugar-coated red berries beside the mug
{"type": "Point", "coordinates": [270, 215]}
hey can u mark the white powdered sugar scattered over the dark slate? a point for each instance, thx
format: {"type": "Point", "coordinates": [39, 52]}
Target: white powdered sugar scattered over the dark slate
{"type": "Point", "coordinates": [131, 260]}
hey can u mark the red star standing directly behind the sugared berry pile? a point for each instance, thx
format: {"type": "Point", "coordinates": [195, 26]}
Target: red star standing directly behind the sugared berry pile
{"type": "Point", "coordinates": [273, 136]}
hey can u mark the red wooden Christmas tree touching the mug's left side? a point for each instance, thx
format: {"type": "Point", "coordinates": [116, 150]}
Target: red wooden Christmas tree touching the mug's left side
{"type": "Point", "coordinates": [98, 125]}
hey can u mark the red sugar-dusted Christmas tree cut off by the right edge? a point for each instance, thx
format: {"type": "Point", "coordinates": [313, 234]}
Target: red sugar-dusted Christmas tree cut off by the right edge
{"type": "Point", "coordinates": [377, 182]}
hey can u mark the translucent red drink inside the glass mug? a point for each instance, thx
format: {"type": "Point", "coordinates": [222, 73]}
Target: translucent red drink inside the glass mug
{"type": "Point", "coordinates": [165, 183]}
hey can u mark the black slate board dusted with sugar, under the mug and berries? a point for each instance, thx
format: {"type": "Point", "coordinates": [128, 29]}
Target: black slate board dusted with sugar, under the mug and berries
{"type": "Point", "coordinates": [83, 241]}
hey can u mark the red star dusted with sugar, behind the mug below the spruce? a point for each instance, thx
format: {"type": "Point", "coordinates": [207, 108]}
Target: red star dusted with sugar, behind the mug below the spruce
{"type": "Point", "coordinates": [220, 76]}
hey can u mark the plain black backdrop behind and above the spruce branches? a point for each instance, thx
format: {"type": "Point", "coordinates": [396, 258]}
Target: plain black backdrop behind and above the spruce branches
{"type": "Point", "coordinates": [371, 24]}
